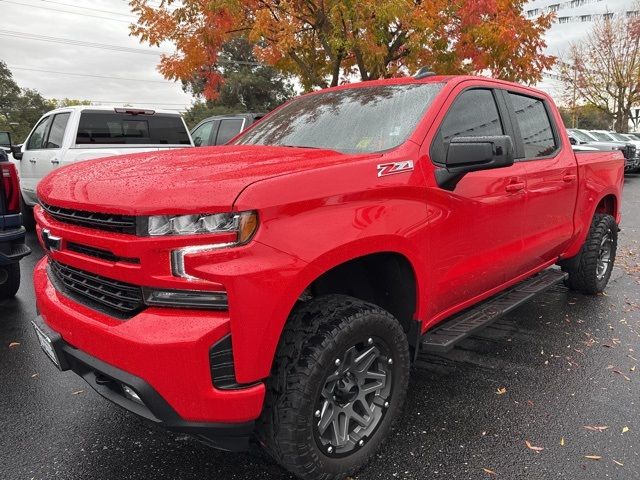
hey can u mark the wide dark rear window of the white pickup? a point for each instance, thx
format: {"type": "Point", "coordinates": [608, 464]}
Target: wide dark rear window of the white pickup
{"type": "Point", "coordinates": [105, 127]}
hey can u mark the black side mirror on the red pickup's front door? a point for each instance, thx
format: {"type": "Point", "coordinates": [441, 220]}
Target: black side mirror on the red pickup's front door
{"type": "Point", "coordinates": [472, 154]}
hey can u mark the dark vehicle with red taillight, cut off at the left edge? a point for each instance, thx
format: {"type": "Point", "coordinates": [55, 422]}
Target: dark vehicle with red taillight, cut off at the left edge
{"type": "Point", "coordinates": [12, 247]}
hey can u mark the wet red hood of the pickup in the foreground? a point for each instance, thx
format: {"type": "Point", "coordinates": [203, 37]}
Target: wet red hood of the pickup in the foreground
{"type": "Point", "coordinates": [203, 180]}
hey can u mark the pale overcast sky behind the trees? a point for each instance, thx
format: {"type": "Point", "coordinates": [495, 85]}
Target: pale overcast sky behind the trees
{"type": "Point", "coordinates": [35, 36]}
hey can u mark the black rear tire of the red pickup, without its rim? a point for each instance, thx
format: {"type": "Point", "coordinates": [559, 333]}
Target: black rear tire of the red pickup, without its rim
{"type": "Point", "coordinates": [582, 270]}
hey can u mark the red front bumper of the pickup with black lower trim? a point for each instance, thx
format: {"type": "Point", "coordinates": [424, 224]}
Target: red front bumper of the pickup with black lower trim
{"type": "Point", "coordinates": [164, 353]}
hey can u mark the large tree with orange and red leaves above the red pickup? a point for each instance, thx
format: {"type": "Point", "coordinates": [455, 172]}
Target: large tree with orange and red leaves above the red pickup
{"type": "Point", "coordinates": [325, 42]}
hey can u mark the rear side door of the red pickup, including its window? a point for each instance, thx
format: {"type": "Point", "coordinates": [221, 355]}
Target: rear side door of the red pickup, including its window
{"type": "Point", "coordinates": [552, 178]}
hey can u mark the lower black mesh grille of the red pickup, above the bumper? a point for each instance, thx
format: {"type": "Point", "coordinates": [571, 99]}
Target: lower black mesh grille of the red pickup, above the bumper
{"type": "Point", "coordinates": [115, 298]}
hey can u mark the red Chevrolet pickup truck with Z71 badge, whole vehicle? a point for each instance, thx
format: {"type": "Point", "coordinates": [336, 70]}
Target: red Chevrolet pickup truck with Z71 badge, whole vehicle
{"type": "Point", "coordinates": [276, 289]}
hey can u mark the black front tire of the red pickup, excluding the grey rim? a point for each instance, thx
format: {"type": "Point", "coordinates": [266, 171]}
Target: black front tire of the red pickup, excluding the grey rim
{"type": "Point", "coordinates": [316, 334]}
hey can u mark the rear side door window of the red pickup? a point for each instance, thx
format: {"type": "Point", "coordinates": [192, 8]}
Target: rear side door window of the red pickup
{"type": "Point", "coordinates": [534, 124]}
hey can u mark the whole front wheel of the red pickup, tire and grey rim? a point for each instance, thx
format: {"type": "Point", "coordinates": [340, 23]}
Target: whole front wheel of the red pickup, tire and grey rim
{"type": "Point", "coordinates": [338, 383]}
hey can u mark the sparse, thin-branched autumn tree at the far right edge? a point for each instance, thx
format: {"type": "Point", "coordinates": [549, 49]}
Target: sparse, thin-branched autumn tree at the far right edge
{"type": "Point", "coordinates": [604, 69]}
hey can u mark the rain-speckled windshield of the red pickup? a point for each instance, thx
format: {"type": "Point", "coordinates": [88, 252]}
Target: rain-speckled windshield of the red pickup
{"type": "Point", "coordinates": [354, 120]}
